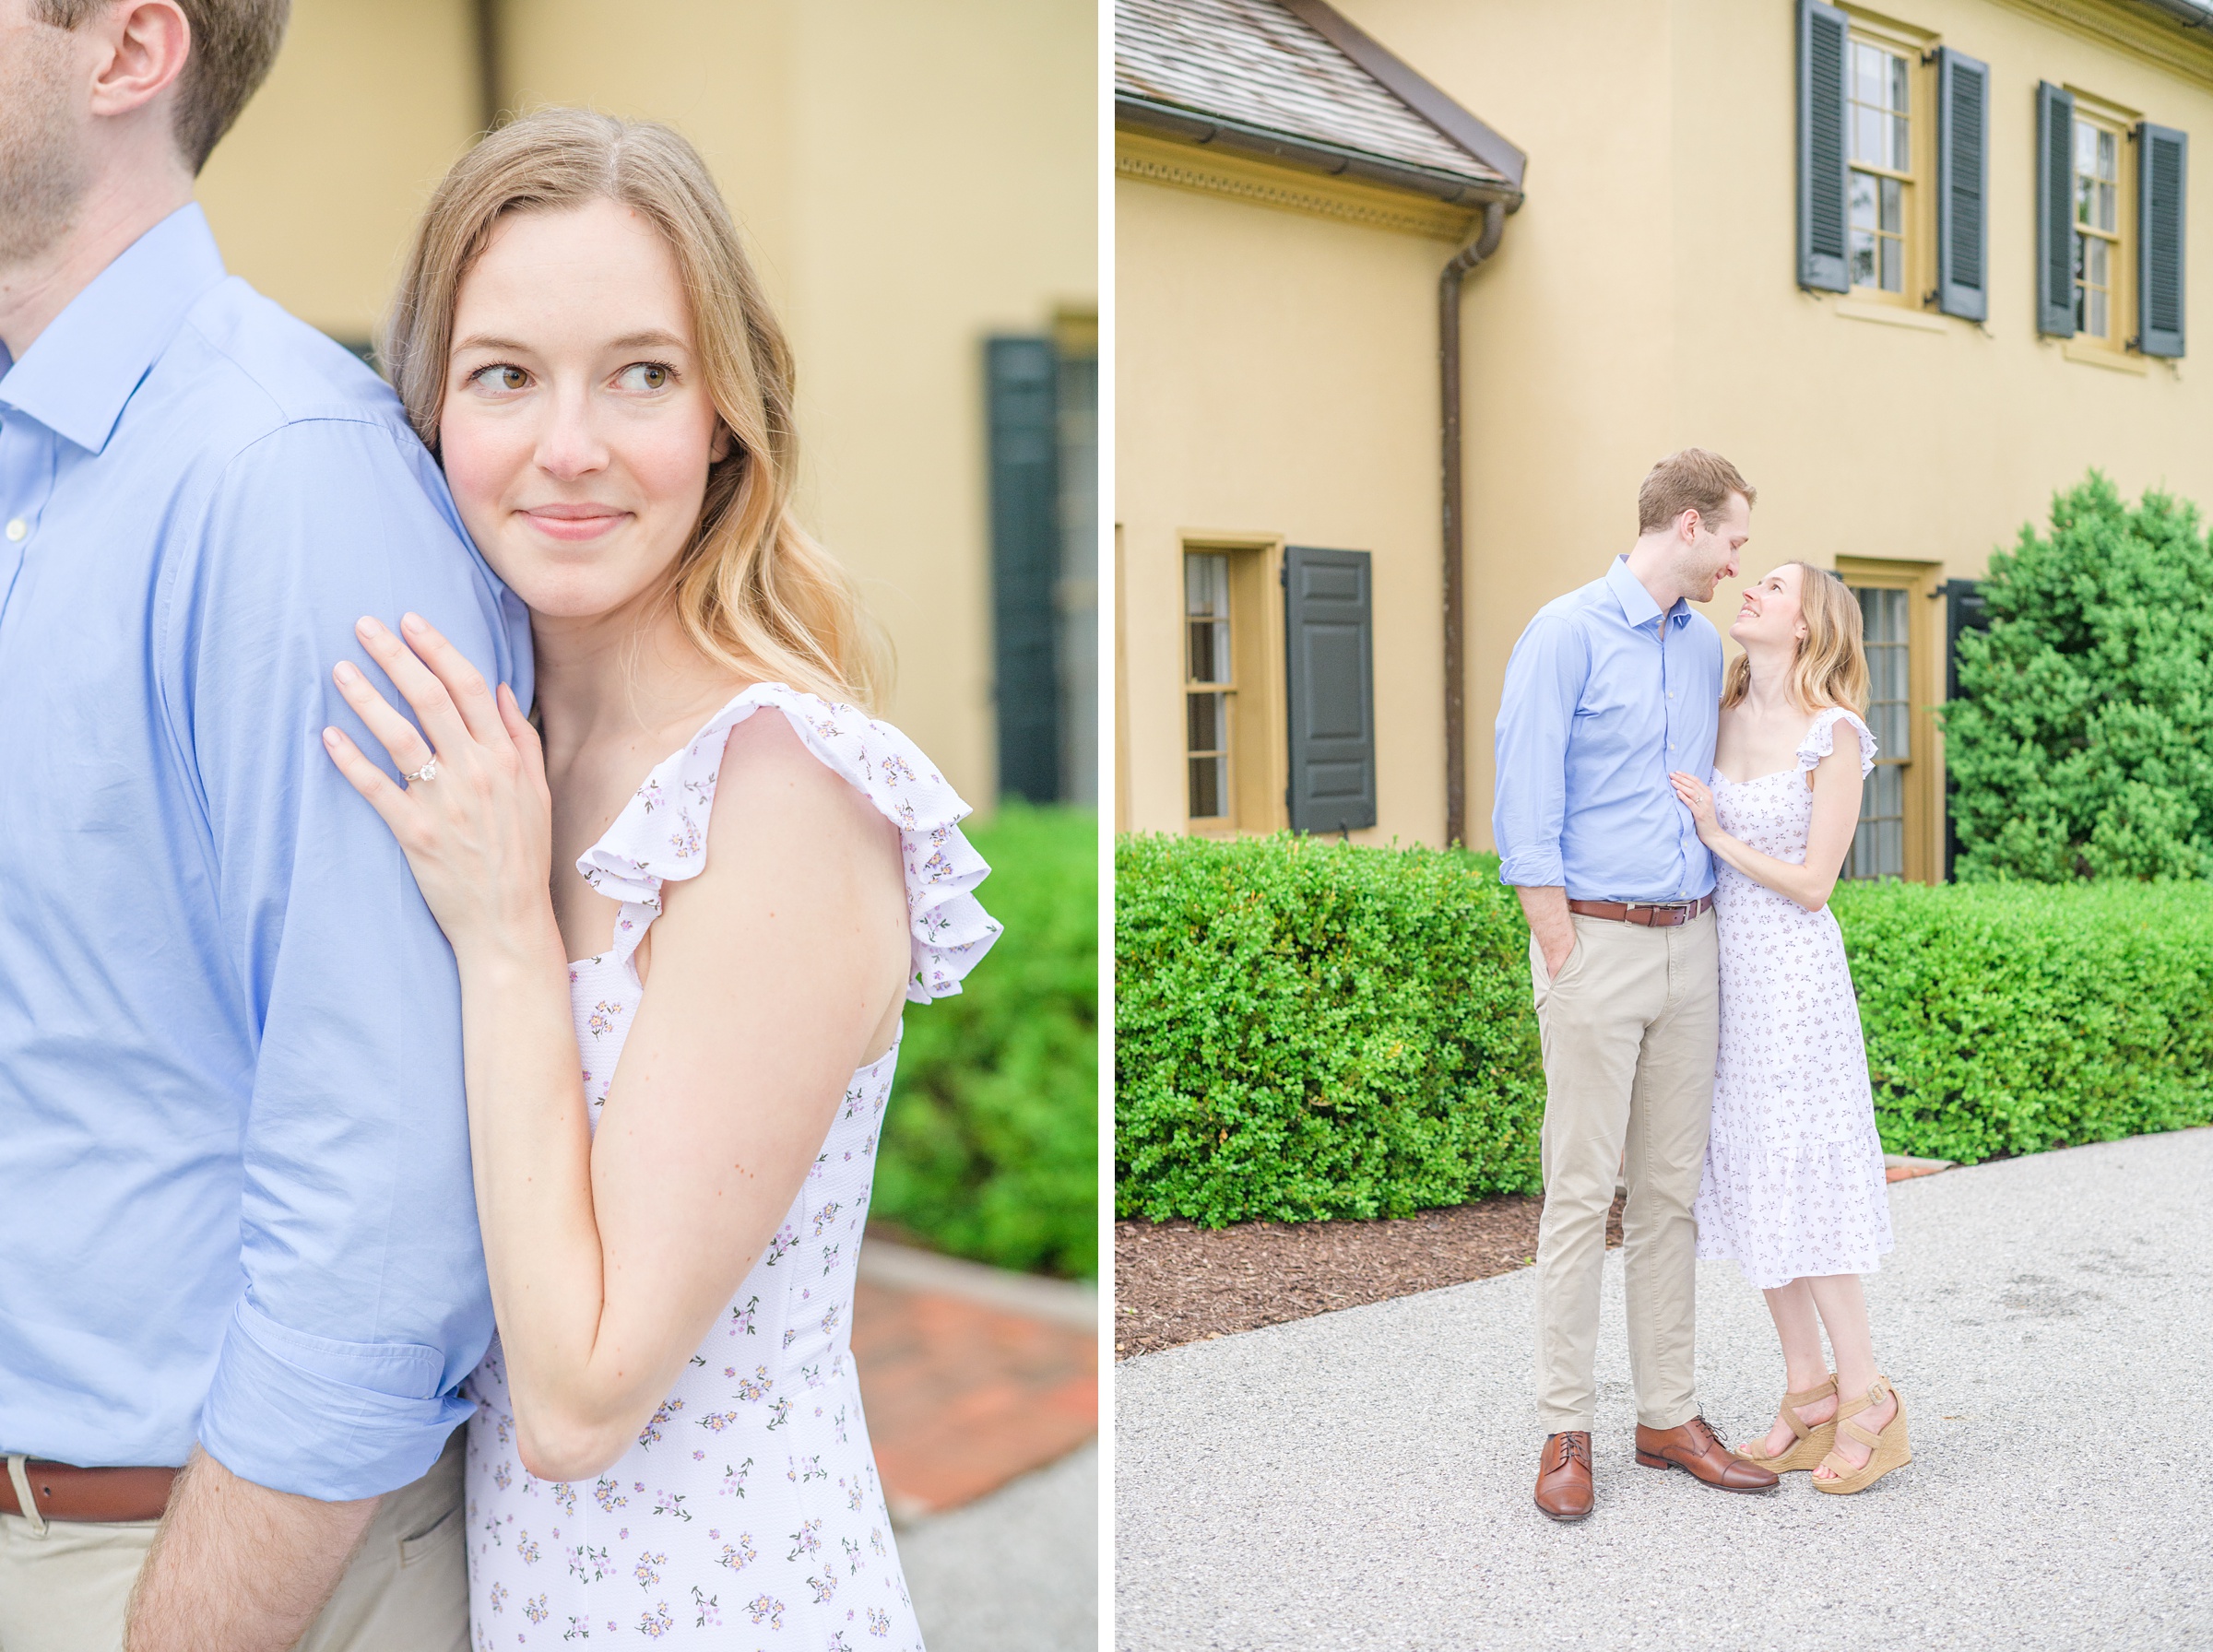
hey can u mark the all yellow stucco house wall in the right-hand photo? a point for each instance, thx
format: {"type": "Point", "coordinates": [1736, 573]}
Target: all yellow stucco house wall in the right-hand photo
{"type": "Point", "coordinates": [1643, 300]}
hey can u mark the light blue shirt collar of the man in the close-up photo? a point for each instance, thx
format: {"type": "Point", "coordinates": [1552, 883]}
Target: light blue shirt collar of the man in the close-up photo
{"type": "Point", "coordinates": [83, 368]}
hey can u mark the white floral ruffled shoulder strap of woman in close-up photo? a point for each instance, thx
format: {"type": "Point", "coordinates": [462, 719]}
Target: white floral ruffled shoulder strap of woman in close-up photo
{"type": "Point", "coordinates": [661, 833]}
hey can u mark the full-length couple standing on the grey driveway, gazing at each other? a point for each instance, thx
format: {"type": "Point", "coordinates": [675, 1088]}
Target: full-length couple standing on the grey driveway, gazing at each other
{"type": "Point", "coordinates": [1674, 835]}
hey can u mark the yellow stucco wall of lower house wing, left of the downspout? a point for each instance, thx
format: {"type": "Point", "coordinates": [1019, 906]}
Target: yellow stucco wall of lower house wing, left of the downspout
{"type": "Point", "coordinates": [1278, 377]}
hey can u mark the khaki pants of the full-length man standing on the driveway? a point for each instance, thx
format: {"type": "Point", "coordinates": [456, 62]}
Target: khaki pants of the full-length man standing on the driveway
{"type": "Point", "coordinates": [1630, 1036]}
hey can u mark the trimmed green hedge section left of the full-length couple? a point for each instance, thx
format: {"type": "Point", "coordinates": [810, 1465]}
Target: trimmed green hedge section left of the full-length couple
{"type": "Point", "coordinates": [1311, 1029]}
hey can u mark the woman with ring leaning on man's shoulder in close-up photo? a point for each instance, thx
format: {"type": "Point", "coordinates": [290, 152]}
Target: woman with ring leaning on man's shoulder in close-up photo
{"type": "Point", "coordinates": [672, 1184]}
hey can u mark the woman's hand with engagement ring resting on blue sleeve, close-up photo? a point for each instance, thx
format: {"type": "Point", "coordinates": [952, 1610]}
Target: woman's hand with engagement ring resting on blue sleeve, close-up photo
{"type": "Point", "coordinates": [479, 826]}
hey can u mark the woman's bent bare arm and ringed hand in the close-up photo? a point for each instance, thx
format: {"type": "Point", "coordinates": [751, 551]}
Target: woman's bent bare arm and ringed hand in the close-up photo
{"type": "Point", "coordinates": [773, 970]}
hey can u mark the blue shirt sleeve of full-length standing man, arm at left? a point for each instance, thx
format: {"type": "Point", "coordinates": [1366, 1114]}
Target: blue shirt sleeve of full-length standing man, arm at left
{"type": "Point", "coordinates": [1537, 715]}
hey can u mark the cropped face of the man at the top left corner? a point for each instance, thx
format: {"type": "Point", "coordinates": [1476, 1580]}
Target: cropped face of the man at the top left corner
{"type": "Point", "coordinates": [43, 132]}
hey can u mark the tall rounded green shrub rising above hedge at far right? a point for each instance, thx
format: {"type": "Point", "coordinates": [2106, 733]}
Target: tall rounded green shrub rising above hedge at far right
{"type": "Point", "coordinates": [2084, 733]}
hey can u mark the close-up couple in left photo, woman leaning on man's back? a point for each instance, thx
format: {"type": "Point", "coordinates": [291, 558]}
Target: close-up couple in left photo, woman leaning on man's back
{"type": "Point", "coordinates": [368, 757]}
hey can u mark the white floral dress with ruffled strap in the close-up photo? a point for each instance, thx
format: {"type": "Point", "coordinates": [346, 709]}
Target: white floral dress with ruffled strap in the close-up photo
{"type": "Point", "coordinates": [749, 1512]}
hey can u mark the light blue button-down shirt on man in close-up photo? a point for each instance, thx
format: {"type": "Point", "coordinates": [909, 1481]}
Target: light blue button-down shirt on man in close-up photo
{"type": "Point", "coordinates": [233, 1142]}
